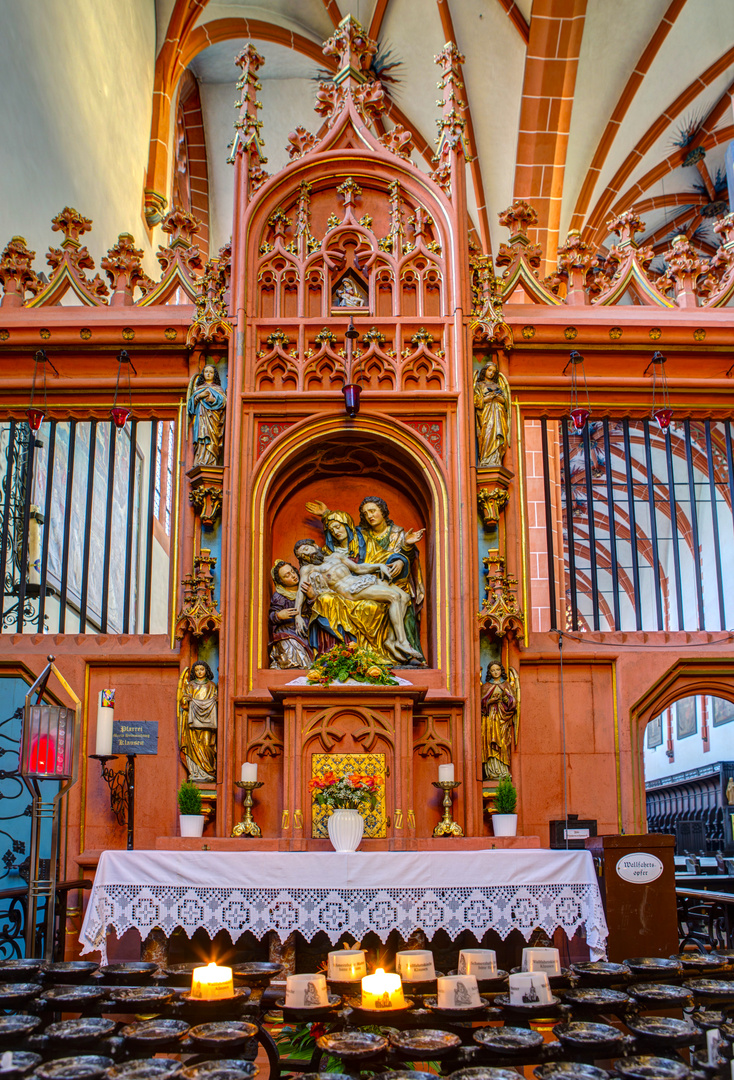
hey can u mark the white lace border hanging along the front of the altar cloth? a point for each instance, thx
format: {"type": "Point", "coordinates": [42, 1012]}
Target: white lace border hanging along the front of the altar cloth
{"type": "Point", "coordinates": [504, 909]}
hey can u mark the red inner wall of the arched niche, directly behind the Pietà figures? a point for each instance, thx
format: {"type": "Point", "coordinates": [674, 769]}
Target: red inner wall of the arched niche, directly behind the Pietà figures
{"type": "Point", "coordinates": [342, 471]}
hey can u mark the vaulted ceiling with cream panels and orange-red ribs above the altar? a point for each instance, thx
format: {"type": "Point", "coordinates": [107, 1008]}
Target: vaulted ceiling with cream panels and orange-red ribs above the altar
{"type": "Point", "coordinates": [583, 107]}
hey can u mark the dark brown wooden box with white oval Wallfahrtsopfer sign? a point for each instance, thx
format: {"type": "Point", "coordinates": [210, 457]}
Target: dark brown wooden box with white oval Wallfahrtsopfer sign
{"type": "Point", "coordinates": [638, 888]}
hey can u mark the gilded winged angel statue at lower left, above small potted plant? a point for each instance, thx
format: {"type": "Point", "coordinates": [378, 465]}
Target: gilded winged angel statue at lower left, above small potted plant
{"type": "Point", "coordinates": [197, 701]}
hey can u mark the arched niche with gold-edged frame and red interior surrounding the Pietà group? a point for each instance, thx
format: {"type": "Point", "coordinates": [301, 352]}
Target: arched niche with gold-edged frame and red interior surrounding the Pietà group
{"type": "Point", "coordinates": [341, 463]}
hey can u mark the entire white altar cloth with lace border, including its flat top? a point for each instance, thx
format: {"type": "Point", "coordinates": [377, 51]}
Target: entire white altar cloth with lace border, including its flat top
{"type": "Point", "coordinates": [380, 892]}
